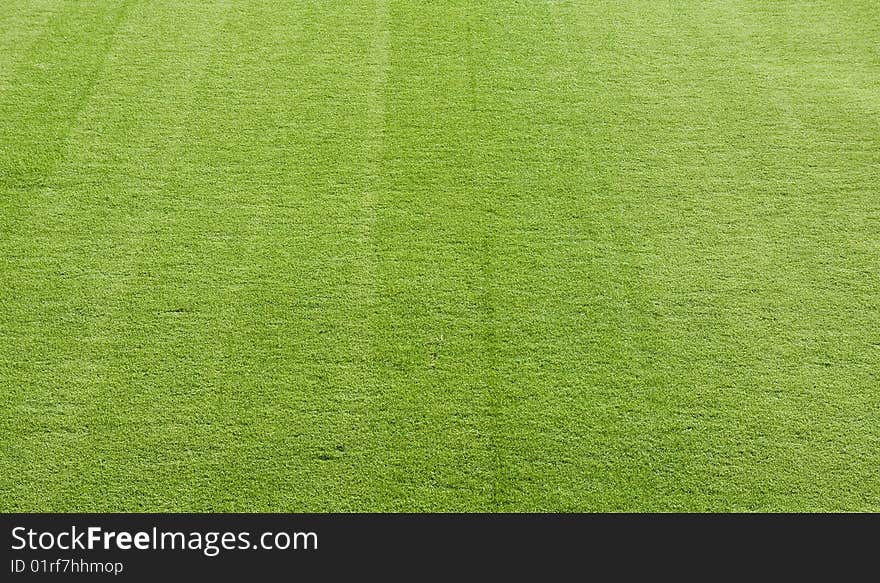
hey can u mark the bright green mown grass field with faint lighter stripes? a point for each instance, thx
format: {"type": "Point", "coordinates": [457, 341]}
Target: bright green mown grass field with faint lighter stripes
{"type": "Point", "coordinates": [268, 255]}
